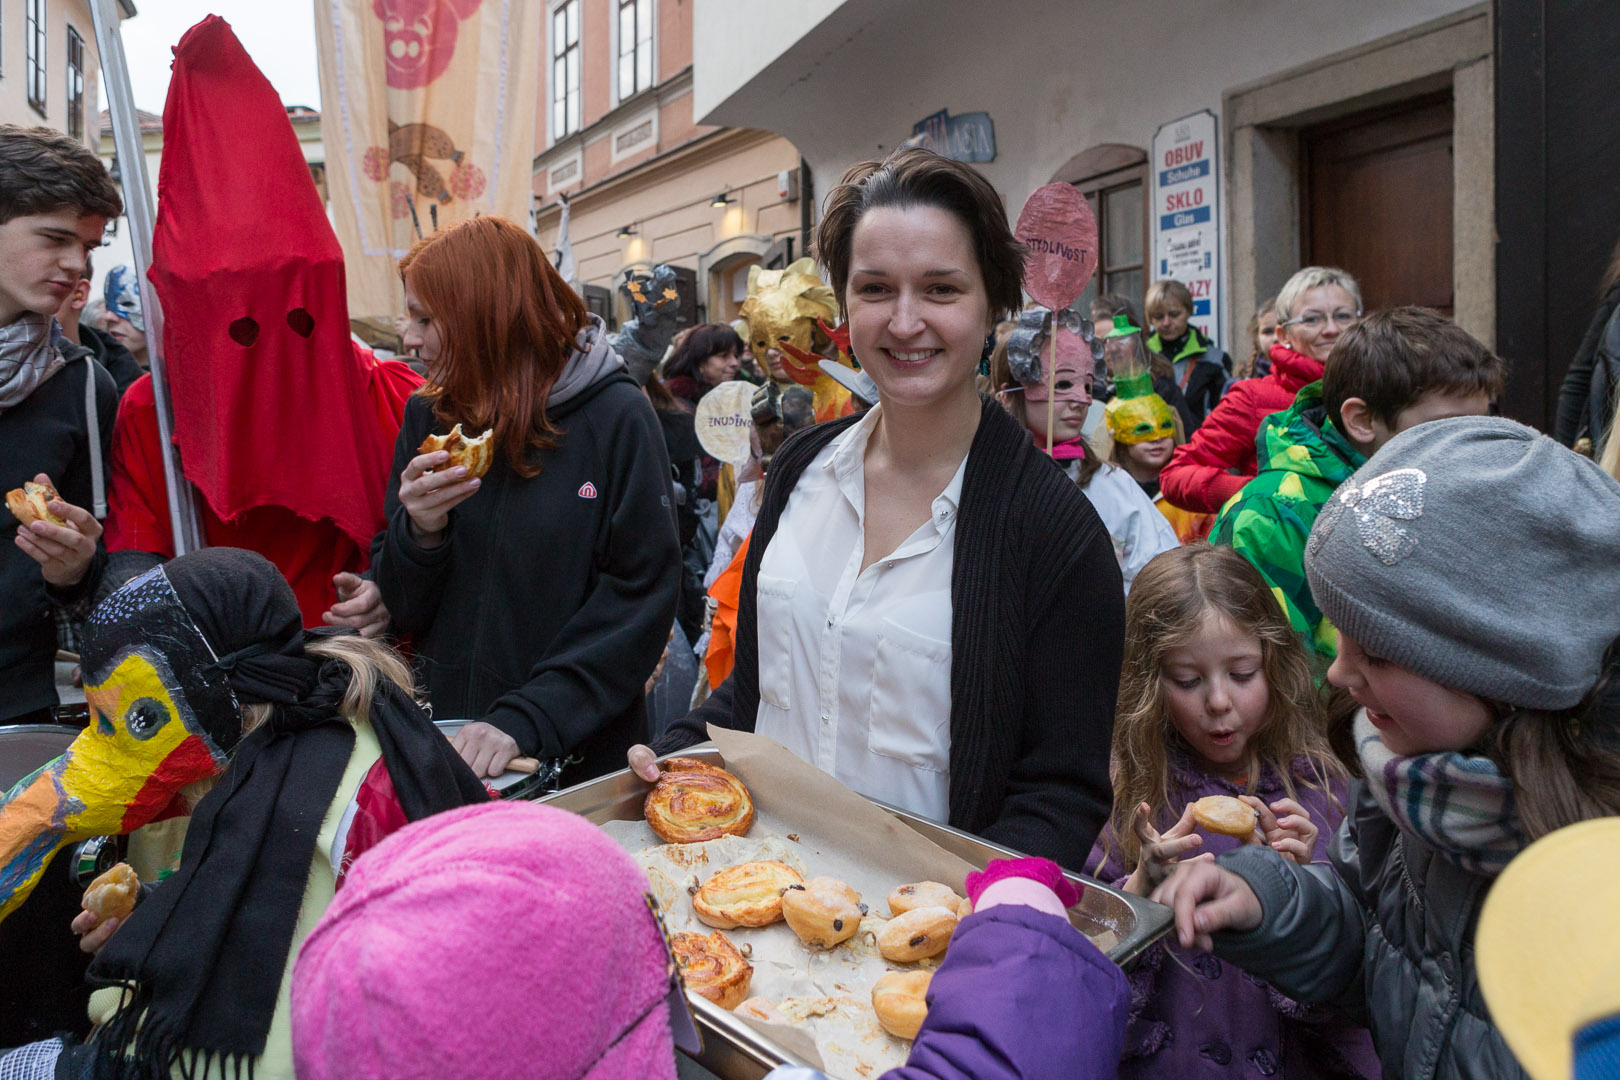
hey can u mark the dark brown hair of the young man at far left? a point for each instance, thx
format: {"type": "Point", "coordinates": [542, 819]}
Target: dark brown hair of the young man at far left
{"type": "Point", "coordinates": [43, 171]}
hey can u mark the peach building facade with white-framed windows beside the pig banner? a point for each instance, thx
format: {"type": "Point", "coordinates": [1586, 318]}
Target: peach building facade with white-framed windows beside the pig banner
{"type": "Point", "coordinates": [644, 182]}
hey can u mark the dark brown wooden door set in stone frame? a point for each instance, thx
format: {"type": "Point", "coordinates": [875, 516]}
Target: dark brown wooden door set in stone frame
{"type": "Point", "coordinates": [1379, 203]}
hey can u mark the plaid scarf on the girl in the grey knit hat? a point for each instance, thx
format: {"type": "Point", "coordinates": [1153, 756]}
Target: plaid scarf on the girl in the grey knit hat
{"type": "Point", "coordinates": [1457, 804]}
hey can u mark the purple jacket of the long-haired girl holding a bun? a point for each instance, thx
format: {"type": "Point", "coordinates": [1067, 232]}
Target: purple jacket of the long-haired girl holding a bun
{"type": "Point", "coordinates": [1195, 1016]}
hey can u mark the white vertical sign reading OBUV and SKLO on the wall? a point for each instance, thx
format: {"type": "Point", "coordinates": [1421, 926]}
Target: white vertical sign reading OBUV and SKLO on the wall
{"type": "Point", "coordinates": [1187, 215]}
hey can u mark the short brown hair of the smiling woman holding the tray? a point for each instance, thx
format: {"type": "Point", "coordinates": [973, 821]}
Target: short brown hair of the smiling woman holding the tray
{"type": "Point", "coordinates": [918, 177]}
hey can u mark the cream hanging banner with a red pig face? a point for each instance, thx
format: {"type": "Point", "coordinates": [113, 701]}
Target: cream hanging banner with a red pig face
{"type": "Point", "coordinates": [428, 119]}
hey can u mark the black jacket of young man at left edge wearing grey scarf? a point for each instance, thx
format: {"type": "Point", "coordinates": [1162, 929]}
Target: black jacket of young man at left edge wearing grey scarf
{"type": "Point", "coordinates": [48, 433]}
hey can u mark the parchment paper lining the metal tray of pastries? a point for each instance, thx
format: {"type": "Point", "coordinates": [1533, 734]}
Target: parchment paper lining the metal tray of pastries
{"type": "Point", "coordinates": [821, 828]}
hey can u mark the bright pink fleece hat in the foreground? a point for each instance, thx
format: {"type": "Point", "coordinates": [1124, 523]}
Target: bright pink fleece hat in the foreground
{"type": "Point", "coordinates": [506, 940]}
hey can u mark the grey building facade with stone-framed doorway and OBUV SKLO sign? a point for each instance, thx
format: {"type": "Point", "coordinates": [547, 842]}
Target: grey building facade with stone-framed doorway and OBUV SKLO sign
{"type": "Point", "coordinates": [1342, 134]}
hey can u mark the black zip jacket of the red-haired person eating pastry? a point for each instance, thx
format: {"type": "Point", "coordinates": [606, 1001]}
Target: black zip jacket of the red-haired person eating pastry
{"type": "Point", "coordinates": [550, 602]}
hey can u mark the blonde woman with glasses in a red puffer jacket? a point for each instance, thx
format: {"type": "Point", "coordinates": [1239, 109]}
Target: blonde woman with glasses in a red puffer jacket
{"type": "Point", "coordinates": [1315, 310]}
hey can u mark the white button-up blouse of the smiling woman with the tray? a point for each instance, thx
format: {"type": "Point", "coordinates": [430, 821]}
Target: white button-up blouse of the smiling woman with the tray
{"type": "Point", "coordinates": [856, 666]}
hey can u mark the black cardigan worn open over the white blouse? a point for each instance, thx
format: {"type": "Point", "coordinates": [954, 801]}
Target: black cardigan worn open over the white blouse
{"type": "Point", "coordinates": [1038, 636]}
